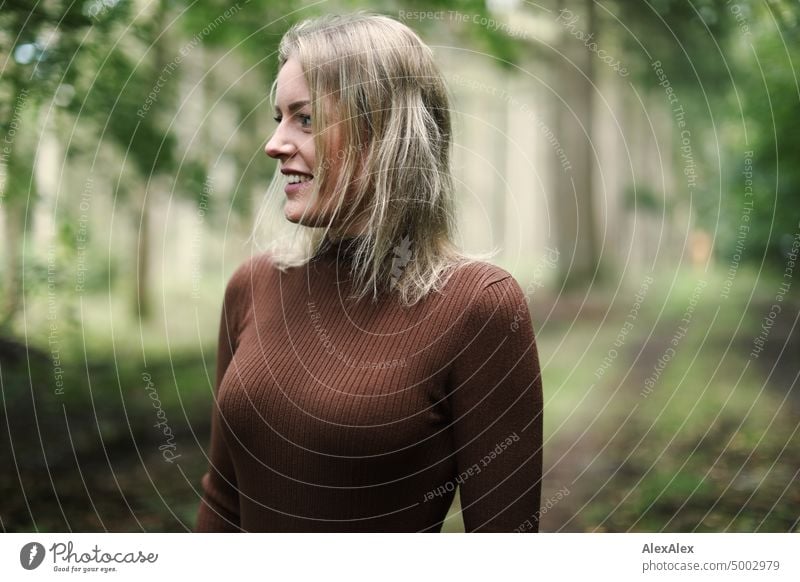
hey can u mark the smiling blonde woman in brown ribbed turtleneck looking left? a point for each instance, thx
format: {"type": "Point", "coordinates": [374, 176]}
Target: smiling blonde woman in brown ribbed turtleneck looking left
{"type": "Point", "coordinates": [364, 378]}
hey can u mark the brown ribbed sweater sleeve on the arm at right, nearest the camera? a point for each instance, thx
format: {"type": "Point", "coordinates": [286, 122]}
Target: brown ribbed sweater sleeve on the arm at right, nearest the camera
{"type": "Point", "coordinates": [495, 395]}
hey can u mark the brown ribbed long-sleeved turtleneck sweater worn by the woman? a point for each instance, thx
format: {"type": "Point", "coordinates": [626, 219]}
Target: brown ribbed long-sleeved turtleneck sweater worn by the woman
{"type": "Point", "coordinates": [340, 416]}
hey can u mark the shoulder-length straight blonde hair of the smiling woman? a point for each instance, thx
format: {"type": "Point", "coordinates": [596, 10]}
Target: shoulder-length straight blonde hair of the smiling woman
{"type": "Point", "coordinates": [376, 81]}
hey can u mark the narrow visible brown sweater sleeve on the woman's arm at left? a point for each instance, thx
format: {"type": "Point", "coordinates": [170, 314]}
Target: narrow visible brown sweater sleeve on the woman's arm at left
{"type": "Point", "coordinates": [219, 508]}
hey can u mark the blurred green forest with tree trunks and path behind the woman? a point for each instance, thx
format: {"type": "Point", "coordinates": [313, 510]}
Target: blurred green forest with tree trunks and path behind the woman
{"type": "Point", "coordinates": [635, 162]}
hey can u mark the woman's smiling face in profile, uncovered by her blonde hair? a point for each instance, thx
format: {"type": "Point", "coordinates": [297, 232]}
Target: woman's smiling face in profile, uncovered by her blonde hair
{"type": "Point", "coordinates": [293, 142]}
